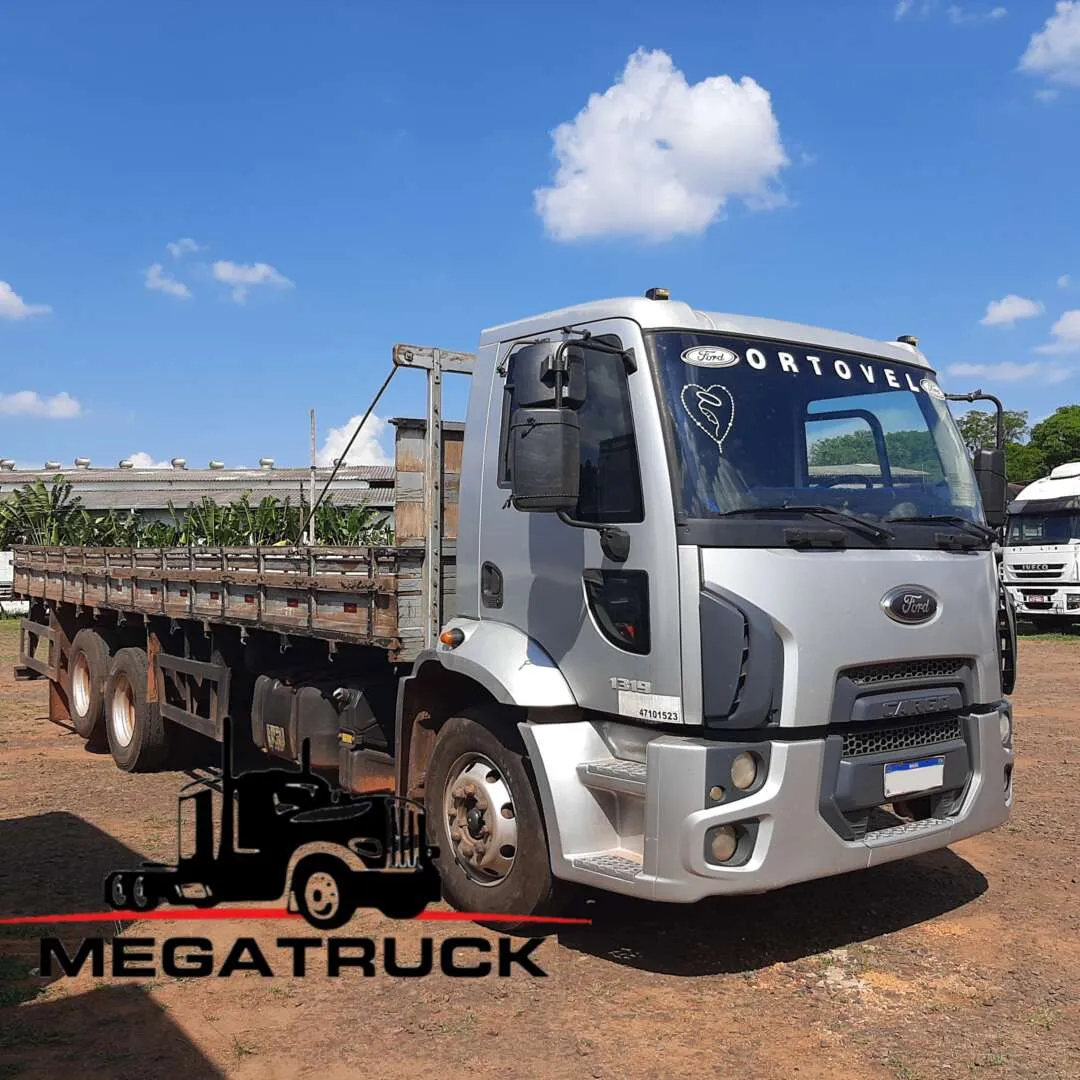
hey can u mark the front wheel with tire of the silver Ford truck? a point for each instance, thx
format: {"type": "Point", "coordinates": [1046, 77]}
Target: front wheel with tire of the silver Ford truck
{"type": "Point", "coordinates": [484, 816]}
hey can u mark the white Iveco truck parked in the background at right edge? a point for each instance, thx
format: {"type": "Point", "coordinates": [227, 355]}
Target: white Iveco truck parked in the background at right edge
{"type": "Point", "coordinates": [1042, 564]}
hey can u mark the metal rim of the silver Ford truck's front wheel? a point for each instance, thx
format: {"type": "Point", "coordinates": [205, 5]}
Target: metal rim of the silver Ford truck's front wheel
{"type": "Point", "coordinates": [481, 819]}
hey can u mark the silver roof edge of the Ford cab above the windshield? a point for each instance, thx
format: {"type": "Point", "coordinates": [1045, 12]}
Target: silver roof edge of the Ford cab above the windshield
{"type": "Point", "coordinates": [676, 315]}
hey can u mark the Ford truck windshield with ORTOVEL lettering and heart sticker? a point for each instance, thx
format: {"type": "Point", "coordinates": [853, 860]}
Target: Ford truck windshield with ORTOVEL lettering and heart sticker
{"type": "Point", "coordinates": [760, 424]}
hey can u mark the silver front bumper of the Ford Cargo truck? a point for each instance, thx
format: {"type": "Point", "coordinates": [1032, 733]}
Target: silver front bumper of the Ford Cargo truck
{"type": "Point", "coordinates": [600, 840]}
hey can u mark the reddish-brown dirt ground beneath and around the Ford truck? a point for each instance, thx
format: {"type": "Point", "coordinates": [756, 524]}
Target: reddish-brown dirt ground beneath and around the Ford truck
{"type": "Point", "coordinates": [964, 963]}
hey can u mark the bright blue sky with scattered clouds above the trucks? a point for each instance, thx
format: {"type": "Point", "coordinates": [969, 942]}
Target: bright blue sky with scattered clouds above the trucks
{"type": "Point", "coordinates": [356, 175]}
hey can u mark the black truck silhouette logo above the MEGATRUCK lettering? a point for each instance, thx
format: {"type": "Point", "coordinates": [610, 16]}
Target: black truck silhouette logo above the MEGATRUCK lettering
{"type": "Point", "coordinates": [290, 833]}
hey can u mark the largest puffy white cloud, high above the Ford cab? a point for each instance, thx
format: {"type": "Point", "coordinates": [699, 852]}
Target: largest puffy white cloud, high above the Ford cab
{"type": "Point", "coordinates": [656, 157]}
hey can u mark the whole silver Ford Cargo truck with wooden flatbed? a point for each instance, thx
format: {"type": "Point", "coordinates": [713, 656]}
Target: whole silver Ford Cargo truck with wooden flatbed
{"type": "Point", "coordinates": [693, 604]}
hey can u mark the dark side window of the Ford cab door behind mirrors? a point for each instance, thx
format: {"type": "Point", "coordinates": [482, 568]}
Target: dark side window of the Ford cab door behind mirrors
{"type": "Point", "coordinates": [611, 482]}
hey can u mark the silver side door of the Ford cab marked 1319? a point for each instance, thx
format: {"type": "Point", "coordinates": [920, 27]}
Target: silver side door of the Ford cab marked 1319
{"type": "Point", "coordinates": [611, 624]}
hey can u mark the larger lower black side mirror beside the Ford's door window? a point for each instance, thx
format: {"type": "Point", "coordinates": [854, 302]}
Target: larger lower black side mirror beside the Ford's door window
{"type": "Point", "coordinates": [545, 460]}
